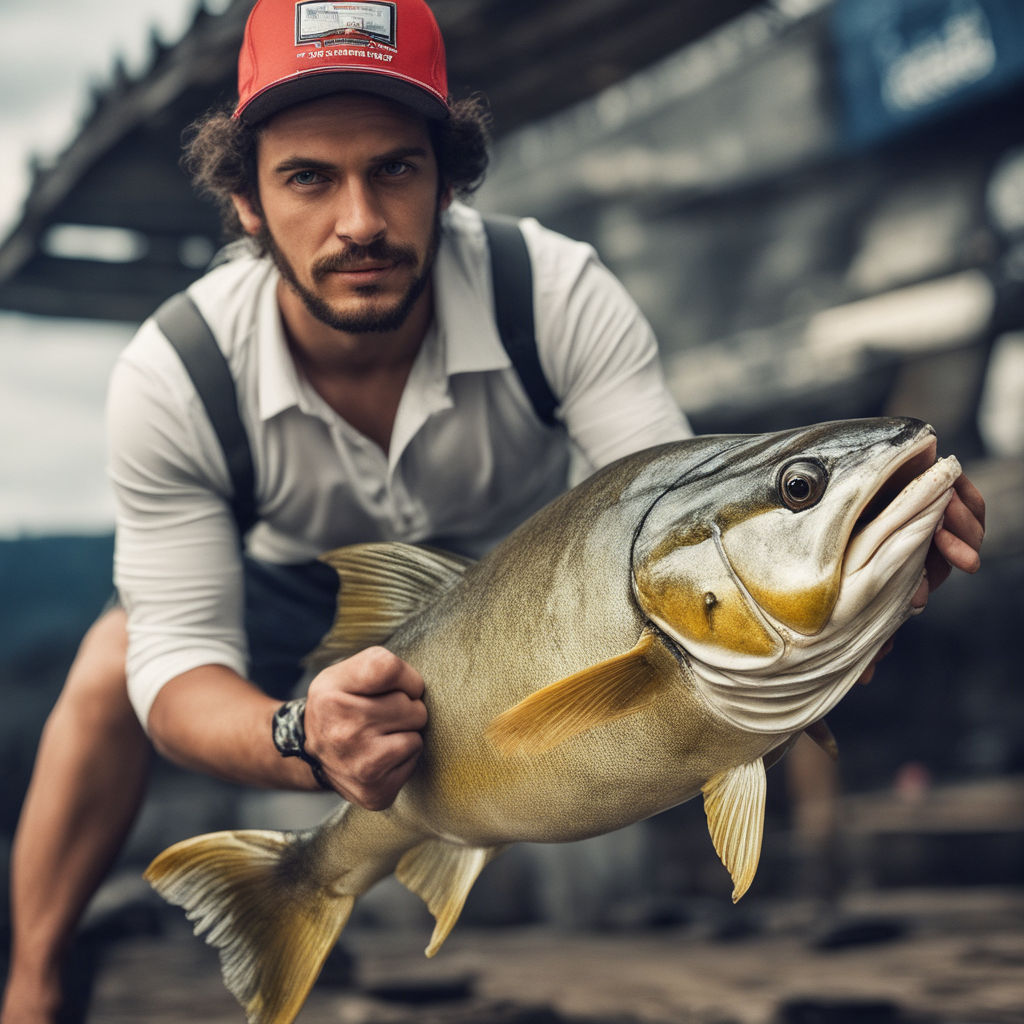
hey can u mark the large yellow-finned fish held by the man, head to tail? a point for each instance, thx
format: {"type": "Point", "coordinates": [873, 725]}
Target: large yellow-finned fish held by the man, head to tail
{"type": "Point", "coordinates": [666, 629]}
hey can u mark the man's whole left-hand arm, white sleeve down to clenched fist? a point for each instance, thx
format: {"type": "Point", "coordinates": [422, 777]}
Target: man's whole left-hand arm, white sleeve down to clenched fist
{"type": "Point", "coordinates": [181, 576]}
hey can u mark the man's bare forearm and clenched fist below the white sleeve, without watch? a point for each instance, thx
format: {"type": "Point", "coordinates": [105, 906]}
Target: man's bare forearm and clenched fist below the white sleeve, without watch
{"type": "Point", "coordinates": [363, 722]}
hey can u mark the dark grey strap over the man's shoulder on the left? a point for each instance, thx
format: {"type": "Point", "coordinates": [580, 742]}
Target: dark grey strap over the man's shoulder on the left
{"type": "Point", "coordinates": [191, 337]}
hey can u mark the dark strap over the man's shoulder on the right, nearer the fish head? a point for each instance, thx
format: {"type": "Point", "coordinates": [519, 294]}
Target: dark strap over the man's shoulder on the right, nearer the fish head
{"type": "Point", "coordinates": [513, 277]}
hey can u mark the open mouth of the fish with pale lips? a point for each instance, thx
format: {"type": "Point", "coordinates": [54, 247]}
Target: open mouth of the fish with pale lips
{"type": "Point", "coordinates": [918, 488]}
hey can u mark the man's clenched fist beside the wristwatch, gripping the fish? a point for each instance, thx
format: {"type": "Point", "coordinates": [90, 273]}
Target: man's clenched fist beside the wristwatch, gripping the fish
{"type": "Point", "coordinates": [364, 720]}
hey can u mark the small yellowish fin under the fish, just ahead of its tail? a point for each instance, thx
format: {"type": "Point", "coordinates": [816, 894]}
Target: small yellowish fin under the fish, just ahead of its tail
{"type": "Point", "coordinates": [442, 875]}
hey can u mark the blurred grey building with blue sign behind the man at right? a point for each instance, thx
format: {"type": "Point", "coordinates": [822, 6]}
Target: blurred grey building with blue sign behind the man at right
{"type": "Point", "coordinates": [820, 211]}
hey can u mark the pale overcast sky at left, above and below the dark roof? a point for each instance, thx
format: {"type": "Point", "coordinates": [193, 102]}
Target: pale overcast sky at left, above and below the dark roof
{"type": "Point", "coordinates": [54, 373]}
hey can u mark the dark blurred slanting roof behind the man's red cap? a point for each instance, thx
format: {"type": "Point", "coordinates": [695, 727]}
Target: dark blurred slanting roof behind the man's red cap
{"type": "Point", "coordinates": [111, 227]}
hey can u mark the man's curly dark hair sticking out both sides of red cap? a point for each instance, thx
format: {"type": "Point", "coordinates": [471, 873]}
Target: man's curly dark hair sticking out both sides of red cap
{"type": "Point", "coordinates": [221, 156]}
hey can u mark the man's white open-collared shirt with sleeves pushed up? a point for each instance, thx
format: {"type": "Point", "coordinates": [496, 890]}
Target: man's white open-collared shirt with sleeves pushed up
{"type": "Point", "coordinates": [468, 459]}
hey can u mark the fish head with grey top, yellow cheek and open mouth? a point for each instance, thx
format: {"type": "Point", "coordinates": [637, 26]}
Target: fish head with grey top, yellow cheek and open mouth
{"type": "Point", "coordinates": [781, 564]}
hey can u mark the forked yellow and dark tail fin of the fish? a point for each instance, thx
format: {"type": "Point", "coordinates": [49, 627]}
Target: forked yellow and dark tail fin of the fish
{"type": "Point", "coordinates": [273, 926]}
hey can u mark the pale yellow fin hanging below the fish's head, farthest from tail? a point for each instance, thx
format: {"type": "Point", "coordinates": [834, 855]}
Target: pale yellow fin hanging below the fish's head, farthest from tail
{"type": "Point", "coordinates": [735, 803]}
